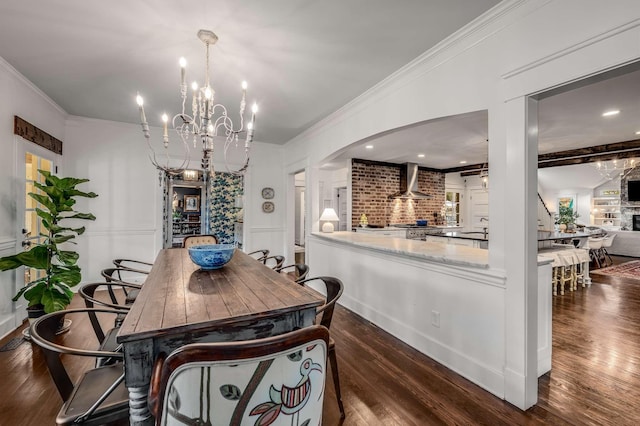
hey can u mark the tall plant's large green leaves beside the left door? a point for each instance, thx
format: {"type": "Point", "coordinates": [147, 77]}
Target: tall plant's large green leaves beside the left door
{"type": "Point", "coordinates": [52, 292]}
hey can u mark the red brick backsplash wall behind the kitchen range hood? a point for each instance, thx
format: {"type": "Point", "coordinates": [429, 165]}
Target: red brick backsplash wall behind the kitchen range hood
{"type": "Point", "coordinates": [371, 185]}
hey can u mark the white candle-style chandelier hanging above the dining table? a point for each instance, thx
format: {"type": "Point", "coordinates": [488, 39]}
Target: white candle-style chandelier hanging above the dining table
{"type": "Point", "coordinates": [205, 122]}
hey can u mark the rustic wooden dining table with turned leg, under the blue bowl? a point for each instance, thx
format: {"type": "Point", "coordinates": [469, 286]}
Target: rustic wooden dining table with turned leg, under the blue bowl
{"type": "Point", "coordinates": [180, 304]}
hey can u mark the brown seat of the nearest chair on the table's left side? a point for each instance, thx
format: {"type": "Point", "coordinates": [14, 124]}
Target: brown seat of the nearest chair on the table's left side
{"type": "Point", "coordinates": [95, 382]}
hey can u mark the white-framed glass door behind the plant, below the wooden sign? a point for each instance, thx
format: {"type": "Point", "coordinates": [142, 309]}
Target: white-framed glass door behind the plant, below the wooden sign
{"type": "Point", "coordinates": [29, 159]}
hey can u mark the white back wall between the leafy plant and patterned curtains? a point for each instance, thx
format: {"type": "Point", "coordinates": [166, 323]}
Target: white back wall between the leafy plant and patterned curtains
{"type": "Point", "coordinates": [128, 208]}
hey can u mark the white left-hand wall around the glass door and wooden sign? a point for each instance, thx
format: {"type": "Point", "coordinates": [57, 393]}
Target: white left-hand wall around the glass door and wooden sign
{"type": "Point", "coordinates": [18, 97]}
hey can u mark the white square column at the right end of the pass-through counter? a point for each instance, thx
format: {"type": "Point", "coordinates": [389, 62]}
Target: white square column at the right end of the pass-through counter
{"type": "Point", "coordinates": [520, 252]}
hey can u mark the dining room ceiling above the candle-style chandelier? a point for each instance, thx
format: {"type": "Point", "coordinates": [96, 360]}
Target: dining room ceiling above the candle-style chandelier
{"type": "Point", "coordinates": [303, 59]}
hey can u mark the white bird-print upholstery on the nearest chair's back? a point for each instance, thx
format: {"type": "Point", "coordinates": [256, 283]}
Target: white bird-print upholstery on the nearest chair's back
{"type": "Point", "coordinates": [286, 388]}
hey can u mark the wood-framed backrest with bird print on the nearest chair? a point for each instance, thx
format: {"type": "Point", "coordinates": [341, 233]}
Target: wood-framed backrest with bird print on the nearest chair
{"type": "Point", "coordinates": [276, 379]}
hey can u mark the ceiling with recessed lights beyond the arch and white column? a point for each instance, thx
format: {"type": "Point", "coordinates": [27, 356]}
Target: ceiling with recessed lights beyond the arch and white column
{"type": "Point", "coordinates": [567, 120]}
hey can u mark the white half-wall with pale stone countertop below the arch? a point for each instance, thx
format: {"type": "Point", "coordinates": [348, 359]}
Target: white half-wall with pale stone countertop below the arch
{"type": "Point", "coordinates": [442, 299]}
